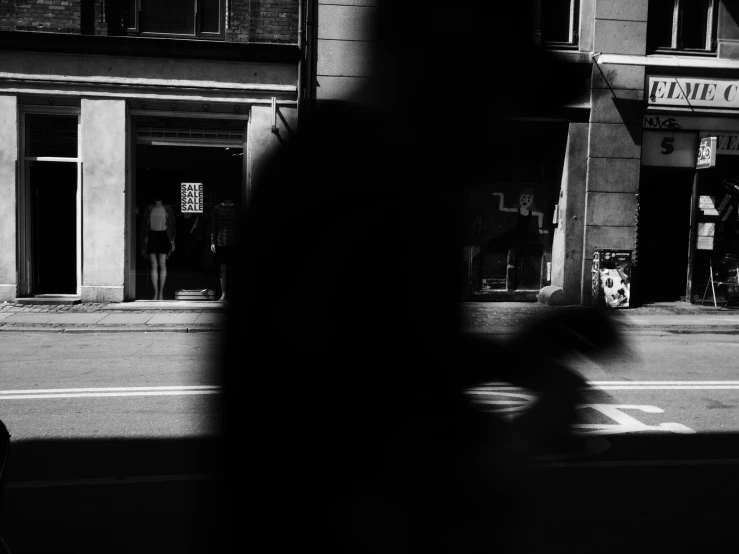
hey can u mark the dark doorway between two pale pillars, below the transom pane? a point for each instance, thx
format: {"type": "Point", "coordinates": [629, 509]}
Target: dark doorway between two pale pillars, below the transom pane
{"type": "Point", "coordinates": [53, 187]}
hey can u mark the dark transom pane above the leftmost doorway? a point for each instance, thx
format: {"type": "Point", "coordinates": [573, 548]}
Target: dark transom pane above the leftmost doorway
{"type": "Point", "coordinates": [51, 135]}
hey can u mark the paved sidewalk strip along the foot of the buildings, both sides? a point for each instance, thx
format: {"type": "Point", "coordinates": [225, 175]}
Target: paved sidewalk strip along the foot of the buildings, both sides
{"type": "Point", "coordinates": [493, 318]}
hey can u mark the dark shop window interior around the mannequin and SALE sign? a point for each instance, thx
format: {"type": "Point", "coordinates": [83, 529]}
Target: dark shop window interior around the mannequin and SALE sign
{"type": "Point", "coordinates": [192, 266]}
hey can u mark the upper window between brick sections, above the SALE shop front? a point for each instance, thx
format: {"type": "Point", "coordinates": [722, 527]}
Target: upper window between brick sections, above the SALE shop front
{"type": "Point", "coordinates": [192, 18]}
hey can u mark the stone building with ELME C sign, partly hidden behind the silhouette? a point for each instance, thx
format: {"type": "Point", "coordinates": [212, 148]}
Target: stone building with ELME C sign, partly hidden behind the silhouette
{"type": "Point", "coordinates": [612, 166]}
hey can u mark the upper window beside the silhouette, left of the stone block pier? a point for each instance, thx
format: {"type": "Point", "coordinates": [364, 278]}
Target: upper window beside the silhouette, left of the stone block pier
{"type": "Point", "coordinates": [556, 22]}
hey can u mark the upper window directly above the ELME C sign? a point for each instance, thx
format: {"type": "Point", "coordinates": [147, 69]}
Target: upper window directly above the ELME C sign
{"type": "Point", "coordinates": [687, 26]}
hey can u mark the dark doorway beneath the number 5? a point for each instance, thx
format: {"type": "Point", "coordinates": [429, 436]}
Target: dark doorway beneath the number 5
{"type": "Point", "coordinates": [663, 234]}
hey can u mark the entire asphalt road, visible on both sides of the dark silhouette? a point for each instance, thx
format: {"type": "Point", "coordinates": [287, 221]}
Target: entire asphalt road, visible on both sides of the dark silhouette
{"type": "Point", "coordinates": [113, 447]}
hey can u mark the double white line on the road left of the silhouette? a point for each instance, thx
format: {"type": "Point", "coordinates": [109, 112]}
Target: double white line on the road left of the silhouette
{"type": "Point", "coordinates": [35, 394]}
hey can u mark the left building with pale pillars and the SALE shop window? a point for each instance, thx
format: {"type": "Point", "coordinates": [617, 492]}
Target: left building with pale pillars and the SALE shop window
{"type": "Point", "coordinates": [105, 104]}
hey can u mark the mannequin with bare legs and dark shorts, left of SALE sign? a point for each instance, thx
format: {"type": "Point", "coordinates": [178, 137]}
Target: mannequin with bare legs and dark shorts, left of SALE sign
{"type": "Point", "coordinates": [158, 231]}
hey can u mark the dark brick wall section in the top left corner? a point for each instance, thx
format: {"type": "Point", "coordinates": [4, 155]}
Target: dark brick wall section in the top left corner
{"type": "Point", "coordinates": [51, 16]}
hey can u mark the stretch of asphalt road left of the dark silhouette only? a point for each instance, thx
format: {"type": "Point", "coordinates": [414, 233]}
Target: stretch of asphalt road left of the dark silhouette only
{"type": "Point", "coordinates": [113, 444]}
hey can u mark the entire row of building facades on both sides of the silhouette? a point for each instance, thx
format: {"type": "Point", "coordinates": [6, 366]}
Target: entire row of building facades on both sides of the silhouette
{"type": "Point", "coordinates": [104, 102]}
